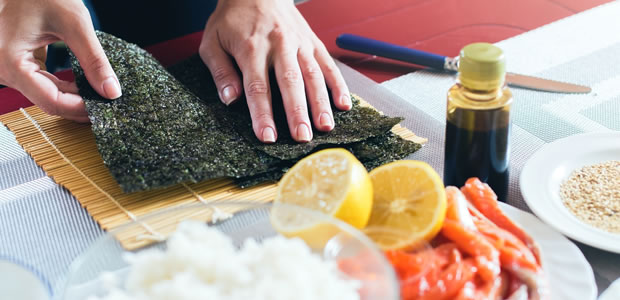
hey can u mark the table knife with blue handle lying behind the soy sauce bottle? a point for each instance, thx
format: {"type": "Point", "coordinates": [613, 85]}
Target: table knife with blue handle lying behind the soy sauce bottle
{"type": "Point", "coordinates": [374, 47]}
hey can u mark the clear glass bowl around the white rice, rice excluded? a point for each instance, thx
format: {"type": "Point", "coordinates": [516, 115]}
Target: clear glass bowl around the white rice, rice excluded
{"type": "Point", "coordinates": [357, 256]}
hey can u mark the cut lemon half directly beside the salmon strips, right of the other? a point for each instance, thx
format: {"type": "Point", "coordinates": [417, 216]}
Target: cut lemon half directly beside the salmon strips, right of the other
{"type": "Point", "coordinates": [409, 204]}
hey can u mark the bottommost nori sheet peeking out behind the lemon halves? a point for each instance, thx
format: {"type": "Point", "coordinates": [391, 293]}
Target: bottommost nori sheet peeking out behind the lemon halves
{"type": "Point", "coordinates": [372, 152]}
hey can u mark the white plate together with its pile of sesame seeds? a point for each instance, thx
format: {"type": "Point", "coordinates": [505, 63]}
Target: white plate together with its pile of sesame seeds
{"type": "Point", "coordinates": [573, 184]}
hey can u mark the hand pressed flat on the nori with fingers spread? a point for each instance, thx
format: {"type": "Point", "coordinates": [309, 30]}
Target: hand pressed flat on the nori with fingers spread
{"type": "Point", "coordinates": [259, 34]}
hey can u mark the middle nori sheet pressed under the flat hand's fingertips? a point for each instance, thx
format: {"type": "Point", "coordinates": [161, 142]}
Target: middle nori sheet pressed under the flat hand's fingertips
{"type": "Point", "coordinates": [356, 125]}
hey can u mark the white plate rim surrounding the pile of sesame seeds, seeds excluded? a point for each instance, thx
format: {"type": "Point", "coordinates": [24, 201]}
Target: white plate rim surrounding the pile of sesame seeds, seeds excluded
{"type": "Point", "coordinates": [544, 172]}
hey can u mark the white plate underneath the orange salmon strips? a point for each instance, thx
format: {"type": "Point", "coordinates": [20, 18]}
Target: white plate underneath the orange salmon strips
{"type": "Point", "coordinates": [569, 273]}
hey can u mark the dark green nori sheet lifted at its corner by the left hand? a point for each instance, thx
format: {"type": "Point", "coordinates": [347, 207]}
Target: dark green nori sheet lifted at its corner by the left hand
{"type": "Point", "coordinates": [159, 133]}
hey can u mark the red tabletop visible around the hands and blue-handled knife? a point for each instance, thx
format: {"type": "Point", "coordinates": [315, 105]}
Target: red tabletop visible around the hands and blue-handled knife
{"type": "Point", "coordinates": [440, 26]}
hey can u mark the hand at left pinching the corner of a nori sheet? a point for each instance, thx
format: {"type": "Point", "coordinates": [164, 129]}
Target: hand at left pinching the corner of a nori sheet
{"type": "Point", "coordinates": [26, 28]}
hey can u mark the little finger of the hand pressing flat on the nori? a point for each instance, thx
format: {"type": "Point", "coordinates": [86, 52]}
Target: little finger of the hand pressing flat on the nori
{"type": "Point", "coordinates": [335, 81]}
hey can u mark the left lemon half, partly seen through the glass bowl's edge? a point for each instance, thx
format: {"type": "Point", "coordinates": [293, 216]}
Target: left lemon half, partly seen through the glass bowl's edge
{"type": "Point", "coordinates": [330, 181]}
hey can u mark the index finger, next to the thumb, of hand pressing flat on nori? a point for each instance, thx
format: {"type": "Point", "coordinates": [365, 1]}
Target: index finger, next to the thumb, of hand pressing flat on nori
{"type": "Point", "coordinates": [258, 96]}
